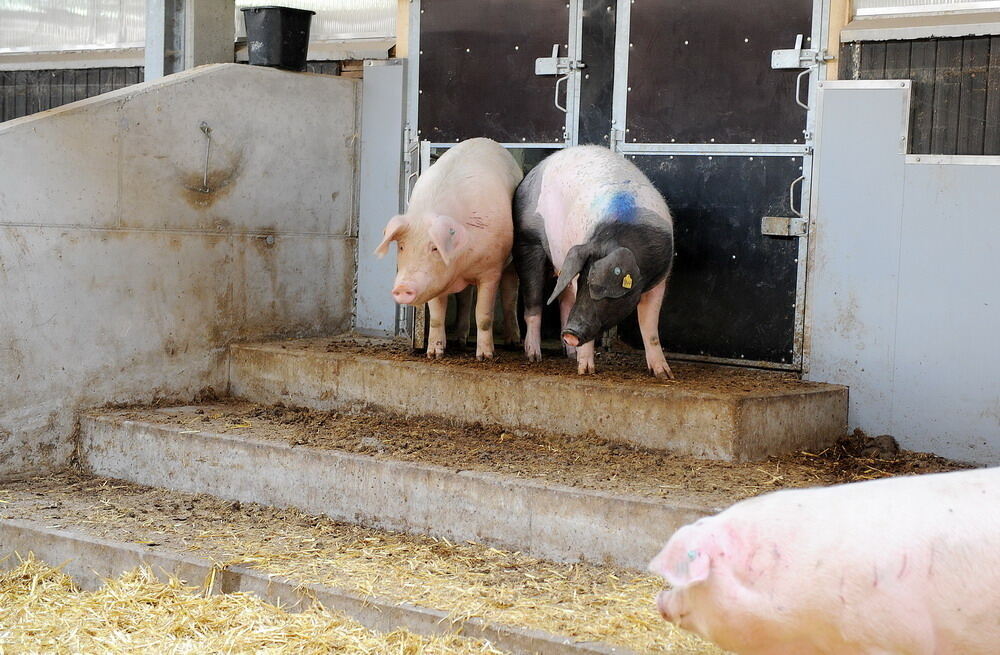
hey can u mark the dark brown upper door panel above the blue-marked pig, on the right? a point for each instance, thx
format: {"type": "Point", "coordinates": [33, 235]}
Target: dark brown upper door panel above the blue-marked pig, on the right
{"type": "Point", "coordinates": [700, 71]}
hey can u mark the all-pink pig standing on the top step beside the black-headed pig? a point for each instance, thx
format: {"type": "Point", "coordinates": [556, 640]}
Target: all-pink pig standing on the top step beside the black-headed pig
{"type": "Point", "coordinates": [457, 232]}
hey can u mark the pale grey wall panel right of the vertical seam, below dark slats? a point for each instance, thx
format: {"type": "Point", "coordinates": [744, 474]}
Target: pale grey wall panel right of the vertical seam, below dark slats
{"type": "Point", "coordinates": [947, 364]}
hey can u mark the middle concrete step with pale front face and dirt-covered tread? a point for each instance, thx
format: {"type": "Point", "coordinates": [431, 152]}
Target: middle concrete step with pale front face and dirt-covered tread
{"type": "Point", "coordinates": [236, 452]}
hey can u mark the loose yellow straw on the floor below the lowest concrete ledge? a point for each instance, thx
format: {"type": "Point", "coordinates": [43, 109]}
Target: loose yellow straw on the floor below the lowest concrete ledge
{"type": "Point", "coordinates": [41, 611]}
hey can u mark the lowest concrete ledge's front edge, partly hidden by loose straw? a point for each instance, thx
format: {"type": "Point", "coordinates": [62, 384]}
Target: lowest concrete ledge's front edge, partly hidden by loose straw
{"type": "Point", "coordinates": [89, 560]}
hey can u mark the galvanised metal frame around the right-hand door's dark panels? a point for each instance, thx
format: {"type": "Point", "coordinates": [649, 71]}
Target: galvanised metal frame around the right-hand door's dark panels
{"type": "Point", "coordinates": [820, 20]}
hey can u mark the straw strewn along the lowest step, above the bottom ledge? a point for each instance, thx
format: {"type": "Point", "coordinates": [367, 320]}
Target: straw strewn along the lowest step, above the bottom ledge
{"type": "Point", "coordinates": [581, 601]}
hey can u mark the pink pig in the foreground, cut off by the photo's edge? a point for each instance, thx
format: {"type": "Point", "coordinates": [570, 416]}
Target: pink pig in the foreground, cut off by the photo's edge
{"type": "Point", "coordinates": [903, 566]}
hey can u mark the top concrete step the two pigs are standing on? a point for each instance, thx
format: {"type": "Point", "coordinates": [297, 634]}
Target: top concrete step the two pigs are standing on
{"type": "Point", "coordinates": [712, 412]}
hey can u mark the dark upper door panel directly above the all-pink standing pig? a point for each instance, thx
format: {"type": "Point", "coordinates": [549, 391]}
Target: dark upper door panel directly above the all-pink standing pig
{"type": "Point", "coordinates": [477, 70]}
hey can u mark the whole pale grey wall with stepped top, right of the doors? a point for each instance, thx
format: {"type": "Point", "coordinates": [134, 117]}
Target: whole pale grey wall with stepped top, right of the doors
{"type": "Point", "coordinates": [903, 301]}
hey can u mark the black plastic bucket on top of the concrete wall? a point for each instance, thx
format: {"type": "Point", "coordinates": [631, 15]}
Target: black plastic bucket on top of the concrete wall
{"type": "Point", "coordinates": [278, 36]}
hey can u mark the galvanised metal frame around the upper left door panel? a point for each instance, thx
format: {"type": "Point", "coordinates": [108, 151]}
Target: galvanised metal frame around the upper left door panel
{"type": "Point", "coordinates": [417, 153]}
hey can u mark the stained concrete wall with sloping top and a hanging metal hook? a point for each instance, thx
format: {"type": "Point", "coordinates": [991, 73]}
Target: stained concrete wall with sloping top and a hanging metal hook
{"type": "Point", "coordinates": [122, 279]}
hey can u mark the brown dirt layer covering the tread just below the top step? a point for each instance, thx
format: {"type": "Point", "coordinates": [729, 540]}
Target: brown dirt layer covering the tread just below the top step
{"type": "Point", "coordinates": [589, 463]}
